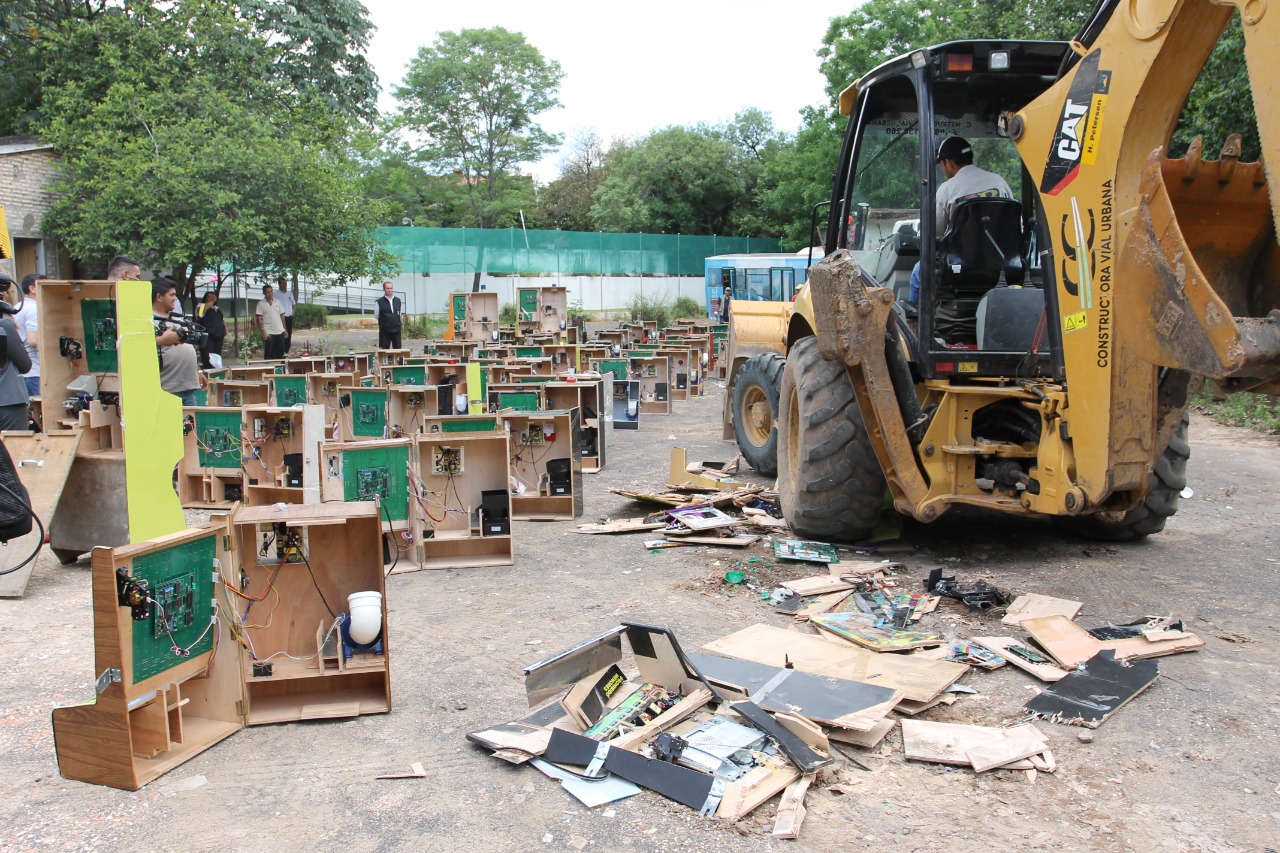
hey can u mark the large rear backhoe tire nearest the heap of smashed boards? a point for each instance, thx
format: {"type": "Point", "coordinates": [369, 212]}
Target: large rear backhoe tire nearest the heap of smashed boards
{"type": "Point", "coordinates": [830, 482]}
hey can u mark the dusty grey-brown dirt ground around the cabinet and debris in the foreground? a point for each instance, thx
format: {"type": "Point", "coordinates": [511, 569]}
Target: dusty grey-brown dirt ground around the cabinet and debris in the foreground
{"type": "Point", "coordinates": [1190, 767]}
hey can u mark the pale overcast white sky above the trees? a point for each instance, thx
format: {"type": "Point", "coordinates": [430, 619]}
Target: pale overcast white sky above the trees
{"type": "Point", "coordinates": [633, 70]}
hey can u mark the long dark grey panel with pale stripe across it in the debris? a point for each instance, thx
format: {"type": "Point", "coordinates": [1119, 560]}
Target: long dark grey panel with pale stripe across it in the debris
{"type": "Point", "coordinates": [835, 703]}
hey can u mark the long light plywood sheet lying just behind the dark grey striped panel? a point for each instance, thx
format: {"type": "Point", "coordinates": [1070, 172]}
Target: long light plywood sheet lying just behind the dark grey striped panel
{"type": "Point", "coordinates": [918, 679]}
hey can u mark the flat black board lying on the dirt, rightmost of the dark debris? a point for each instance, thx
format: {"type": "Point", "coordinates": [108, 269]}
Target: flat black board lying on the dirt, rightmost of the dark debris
{"type": "Point", "coordinates": [1100, 688]}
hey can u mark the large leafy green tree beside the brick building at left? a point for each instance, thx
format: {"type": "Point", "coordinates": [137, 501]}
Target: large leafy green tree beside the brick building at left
{"type": "Point", "coordinates": [181, 145]}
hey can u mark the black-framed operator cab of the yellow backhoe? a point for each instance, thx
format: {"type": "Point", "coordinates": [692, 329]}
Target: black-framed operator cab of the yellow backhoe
{"type": "Point", "coordinates": [982, 308]}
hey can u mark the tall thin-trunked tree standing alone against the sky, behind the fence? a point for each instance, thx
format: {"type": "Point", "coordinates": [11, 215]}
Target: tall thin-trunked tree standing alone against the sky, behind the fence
{"type": "Point", "coordinates": [469, 108]}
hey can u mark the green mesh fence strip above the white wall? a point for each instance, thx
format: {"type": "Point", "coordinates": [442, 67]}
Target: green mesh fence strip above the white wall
{"type": "Point", "coordinates": [560, 253]}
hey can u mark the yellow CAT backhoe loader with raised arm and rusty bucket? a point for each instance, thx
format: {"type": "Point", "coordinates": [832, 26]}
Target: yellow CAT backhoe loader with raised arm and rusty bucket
{"type": "Point", "coordinates": [1046, 364]}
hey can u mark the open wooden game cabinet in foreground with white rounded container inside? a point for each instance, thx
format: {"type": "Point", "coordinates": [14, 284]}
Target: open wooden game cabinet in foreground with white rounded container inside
{"type": "Point", "coordinates": [186, 627]}
